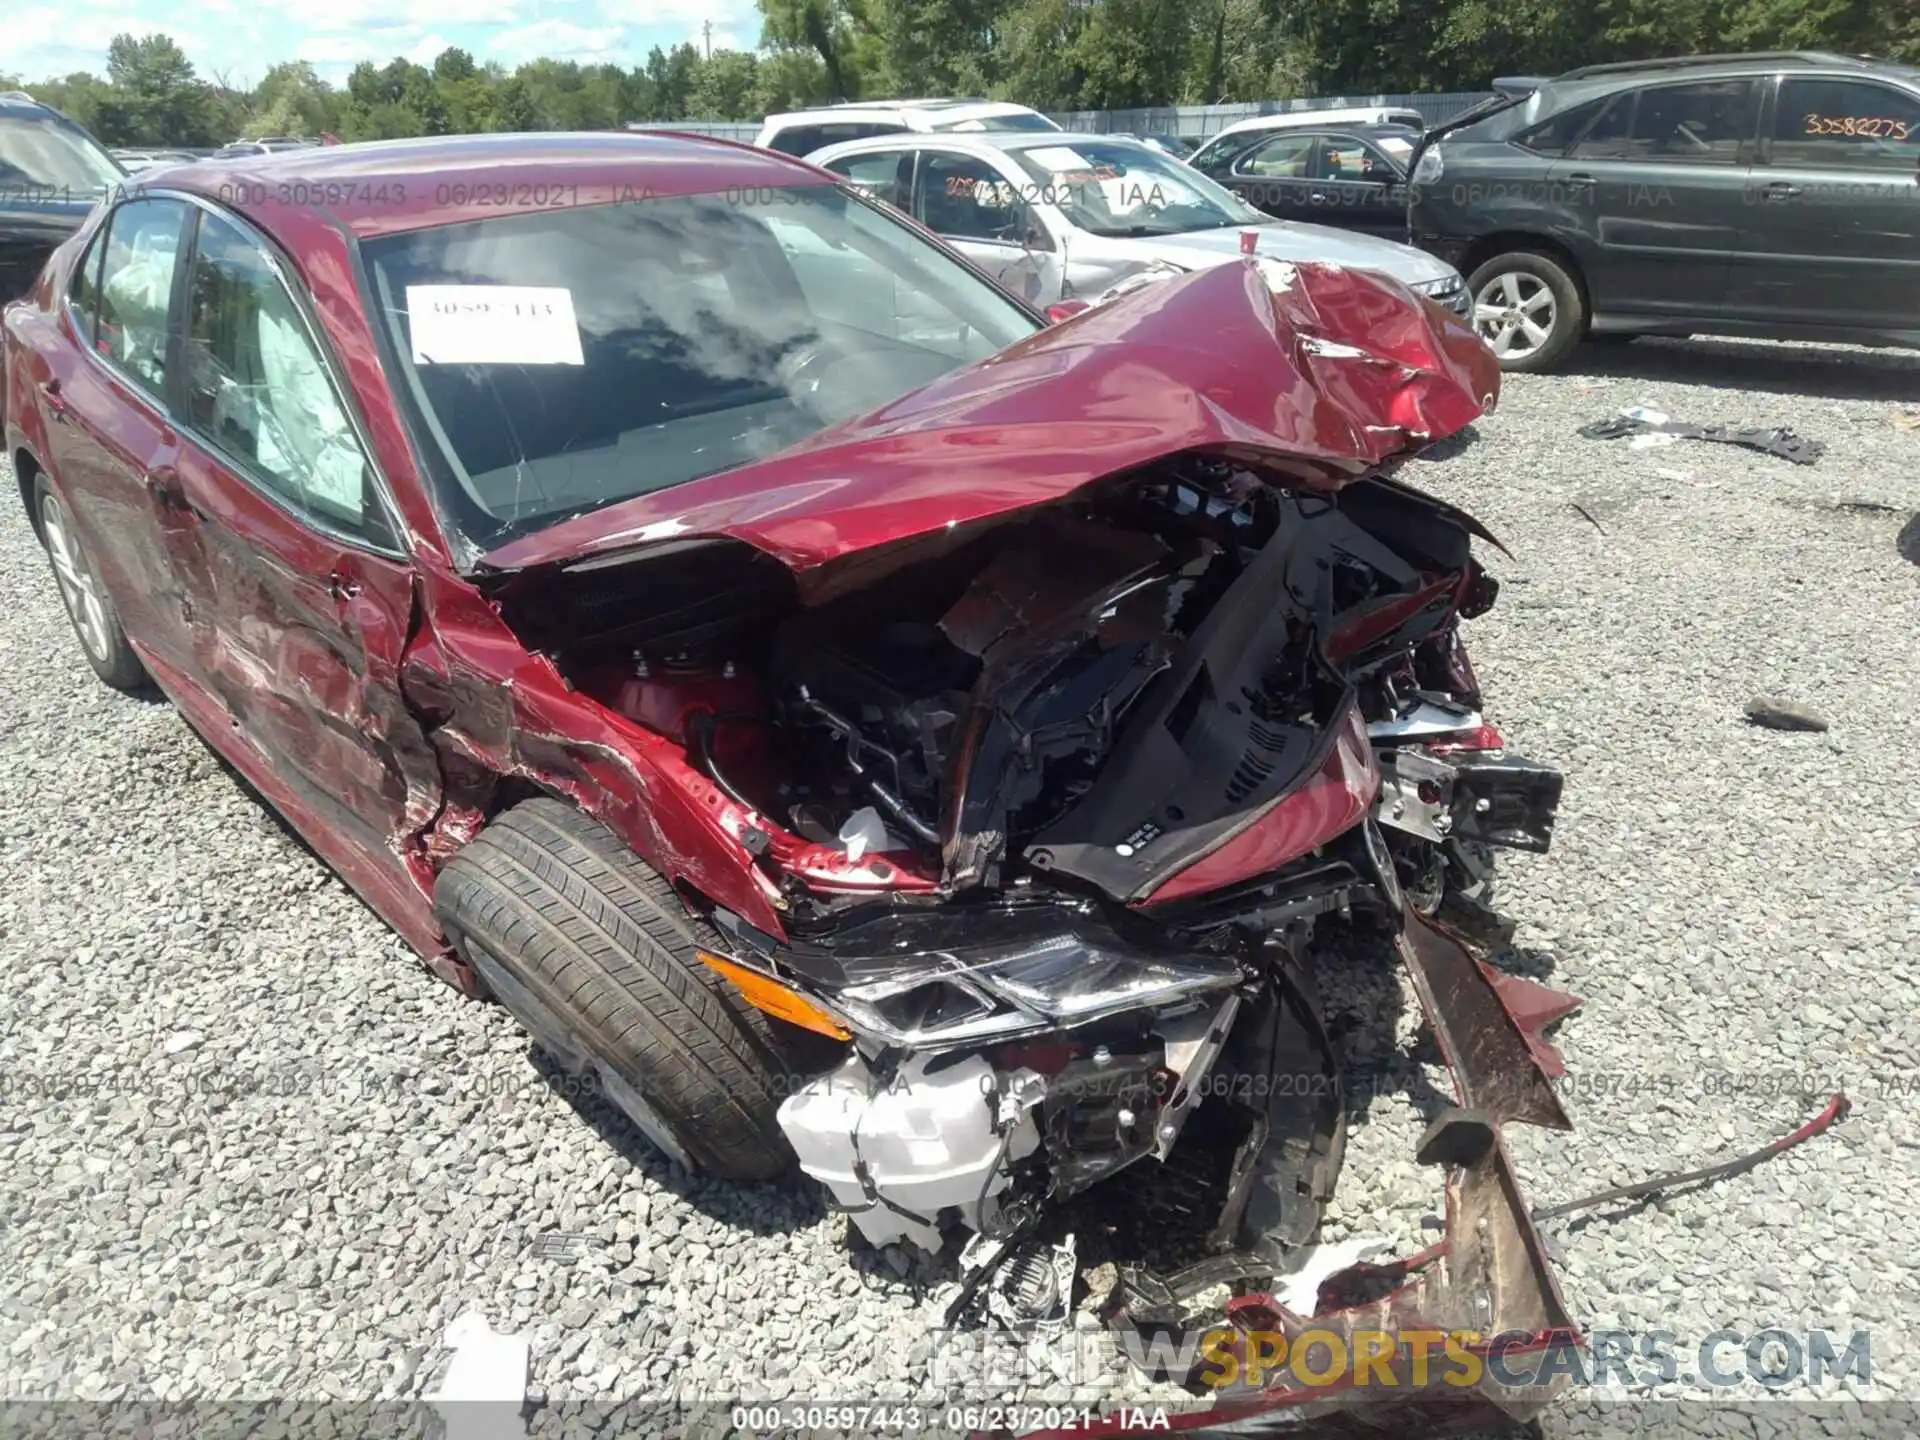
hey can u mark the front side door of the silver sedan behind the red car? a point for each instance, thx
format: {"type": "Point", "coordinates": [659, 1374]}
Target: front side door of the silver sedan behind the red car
{"type": "Point", "coordinates": [982, 212]}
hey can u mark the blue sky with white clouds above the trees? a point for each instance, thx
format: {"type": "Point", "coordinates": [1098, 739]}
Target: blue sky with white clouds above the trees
{"type": "Point", "coordinates": [239, 39]}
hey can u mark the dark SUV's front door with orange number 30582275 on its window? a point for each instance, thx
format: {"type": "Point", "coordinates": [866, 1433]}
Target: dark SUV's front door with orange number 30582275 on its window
{"type": "Point", "coordinates": [1833, 216]}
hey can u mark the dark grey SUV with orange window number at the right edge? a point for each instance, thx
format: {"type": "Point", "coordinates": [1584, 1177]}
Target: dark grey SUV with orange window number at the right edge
{"type": "Point", "coordinates": [1769, 195]}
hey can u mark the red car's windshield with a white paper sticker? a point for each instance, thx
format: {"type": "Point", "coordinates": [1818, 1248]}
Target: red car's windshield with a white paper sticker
{"type": "Point", "coordinates": [575, 358]}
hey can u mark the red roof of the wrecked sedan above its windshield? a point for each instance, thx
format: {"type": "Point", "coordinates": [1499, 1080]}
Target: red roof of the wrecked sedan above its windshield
{"type": "Point", "coordinates": [387, 187]}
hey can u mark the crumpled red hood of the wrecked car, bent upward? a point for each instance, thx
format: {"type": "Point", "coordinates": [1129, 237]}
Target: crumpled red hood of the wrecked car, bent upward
{"type": "Point", "coordinates": [1314, 372]}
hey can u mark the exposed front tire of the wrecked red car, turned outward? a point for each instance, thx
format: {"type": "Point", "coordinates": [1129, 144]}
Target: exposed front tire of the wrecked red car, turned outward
{"type": "Point", "coordinates": [594, 955]}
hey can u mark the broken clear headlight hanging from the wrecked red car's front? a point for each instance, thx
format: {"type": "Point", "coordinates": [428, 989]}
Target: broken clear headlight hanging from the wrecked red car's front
{"type": "Point", "coordinates": [1049, 984]}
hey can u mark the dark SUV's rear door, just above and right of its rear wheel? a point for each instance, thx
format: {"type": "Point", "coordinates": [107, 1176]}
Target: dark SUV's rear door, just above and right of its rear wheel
{"type": "Point", "coordinates": [1664, 172]}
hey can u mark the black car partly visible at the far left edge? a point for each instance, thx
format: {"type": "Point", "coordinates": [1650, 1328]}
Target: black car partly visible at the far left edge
{"type": "Point", "coordinates": [51, 176]}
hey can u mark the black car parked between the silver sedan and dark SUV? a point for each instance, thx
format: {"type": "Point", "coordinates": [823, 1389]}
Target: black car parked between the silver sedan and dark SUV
{"type": "Point", "coordinates": [1349, 176]}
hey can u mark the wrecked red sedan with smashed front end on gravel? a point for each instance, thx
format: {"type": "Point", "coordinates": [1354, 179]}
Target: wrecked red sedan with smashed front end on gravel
{"type": "Point", "coordinates": [850, 717]}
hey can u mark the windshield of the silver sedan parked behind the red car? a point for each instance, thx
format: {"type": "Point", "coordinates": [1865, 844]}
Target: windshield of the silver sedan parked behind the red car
{"type": "Point", "coordinates": [1128, 189]}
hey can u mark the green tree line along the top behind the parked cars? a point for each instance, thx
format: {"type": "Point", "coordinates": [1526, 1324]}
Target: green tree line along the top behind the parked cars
{"type": "Point", "coordinates": [1053, 55]}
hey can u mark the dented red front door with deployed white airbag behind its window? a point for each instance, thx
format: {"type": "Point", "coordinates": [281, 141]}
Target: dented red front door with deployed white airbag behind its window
{"type": "Point", "coordinates": [304, 600]}
